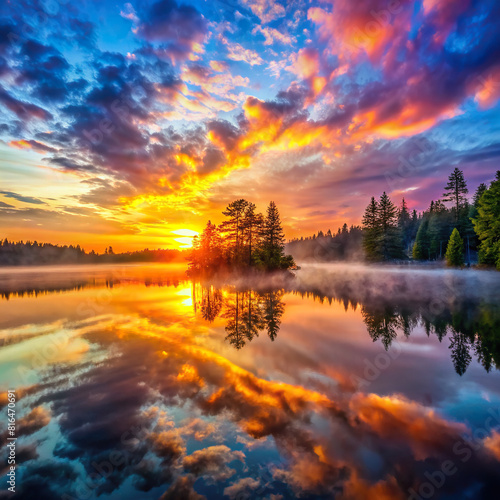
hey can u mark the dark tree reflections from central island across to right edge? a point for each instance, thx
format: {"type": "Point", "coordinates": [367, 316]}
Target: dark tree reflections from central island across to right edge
{"type": "Point", "coordinates": [472, 327]}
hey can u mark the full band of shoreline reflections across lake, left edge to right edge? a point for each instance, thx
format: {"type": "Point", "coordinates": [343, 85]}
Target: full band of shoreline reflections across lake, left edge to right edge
{"type": "Point", "coordinates": [472, 323]}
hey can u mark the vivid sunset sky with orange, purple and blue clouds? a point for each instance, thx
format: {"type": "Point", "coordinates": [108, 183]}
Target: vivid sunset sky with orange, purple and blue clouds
{"type": "Point", "coordinates": [132, 123]}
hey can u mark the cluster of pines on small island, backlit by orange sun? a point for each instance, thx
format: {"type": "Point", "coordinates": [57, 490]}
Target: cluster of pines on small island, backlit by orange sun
{"type": "Point", "coordinates": [245, 239]}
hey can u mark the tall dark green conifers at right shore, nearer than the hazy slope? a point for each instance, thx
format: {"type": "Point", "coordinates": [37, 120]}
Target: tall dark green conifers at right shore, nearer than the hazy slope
{"type": "Point", "coordinates": [453, 233]}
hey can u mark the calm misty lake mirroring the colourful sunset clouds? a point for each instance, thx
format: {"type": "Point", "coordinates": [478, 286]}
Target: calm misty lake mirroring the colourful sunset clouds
{"type": "Point", "coordinates": [344, 382]}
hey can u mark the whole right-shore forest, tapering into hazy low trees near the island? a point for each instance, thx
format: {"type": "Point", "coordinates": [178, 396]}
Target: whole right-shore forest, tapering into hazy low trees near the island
{"type": "Point", "coordinates": [451, 229]}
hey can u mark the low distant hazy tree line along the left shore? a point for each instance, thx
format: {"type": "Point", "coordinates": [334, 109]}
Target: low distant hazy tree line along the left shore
{"type": "Point", "coordinates": [25, 253]}
